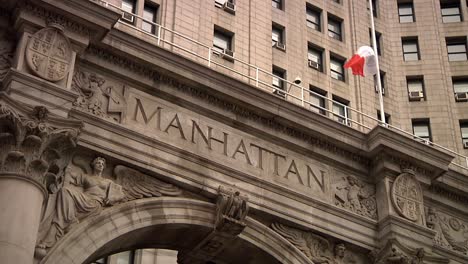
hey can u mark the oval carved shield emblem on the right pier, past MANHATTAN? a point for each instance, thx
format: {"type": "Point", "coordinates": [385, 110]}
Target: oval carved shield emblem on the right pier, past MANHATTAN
{"type": "Point", "coordinates": [407, 196]}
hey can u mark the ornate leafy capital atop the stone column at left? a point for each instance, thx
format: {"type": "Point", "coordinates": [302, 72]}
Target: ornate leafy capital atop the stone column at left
{"type": "Point", "coordinates": [34, 145]}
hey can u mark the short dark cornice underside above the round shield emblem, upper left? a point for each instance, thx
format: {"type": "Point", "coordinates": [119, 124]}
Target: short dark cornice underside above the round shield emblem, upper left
{"type": "Point", "coordinates": [54, 18]}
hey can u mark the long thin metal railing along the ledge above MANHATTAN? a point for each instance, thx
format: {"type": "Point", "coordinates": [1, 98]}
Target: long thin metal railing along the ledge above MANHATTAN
{"type": "Point", "coordinates": [299, 95]}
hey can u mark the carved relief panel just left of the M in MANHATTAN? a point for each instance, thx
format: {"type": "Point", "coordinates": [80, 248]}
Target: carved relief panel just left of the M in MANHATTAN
{"type": "Point", "coordinates": [98, 96]}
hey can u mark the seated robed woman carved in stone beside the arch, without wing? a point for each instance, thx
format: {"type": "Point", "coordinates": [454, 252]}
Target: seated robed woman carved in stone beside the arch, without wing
{"type": "Point", "coordinates": [74, 203]}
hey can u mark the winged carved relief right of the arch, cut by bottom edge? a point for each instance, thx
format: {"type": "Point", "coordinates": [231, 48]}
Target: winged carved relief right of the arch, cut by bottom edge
{"type": "Point", "coordinates": [317, 248]}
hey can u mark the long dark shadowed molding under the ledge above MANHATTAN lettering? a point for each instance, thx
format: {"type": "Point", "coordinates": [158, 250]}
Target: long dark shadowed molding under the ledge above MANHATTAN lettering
{"type": "Point", "coordinates": [224, 104]}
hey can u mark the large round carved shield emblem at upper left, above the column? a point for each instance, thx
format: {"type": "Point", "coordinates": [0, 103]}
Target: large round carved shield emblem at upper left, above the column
{"type": "Point", "coordinates": [48, 54]}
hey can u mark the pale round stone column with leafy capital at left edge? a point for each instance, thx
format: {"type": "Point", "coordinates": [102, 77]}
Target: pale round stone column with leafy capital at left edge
{"type": "Point", "coordinates": [35, 149]}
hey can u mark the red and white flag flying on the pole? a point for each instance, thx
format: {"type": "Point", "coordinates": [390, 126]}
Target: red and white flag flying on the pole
{"type": "Point", "coordinates": [363, 62]}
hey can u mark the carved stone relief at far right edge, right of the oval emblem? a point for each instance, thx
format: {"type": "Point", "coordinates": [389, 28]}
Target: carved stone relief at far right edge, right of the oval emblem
{"type": "Point", "coordinates": [452, 232]}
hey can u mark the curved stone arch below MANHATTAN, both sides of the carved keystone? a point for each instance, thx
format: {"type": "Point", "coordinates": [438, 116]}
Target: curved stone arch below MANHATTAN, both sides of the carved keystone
{"type": "Point", "coordinates": [159, 222]}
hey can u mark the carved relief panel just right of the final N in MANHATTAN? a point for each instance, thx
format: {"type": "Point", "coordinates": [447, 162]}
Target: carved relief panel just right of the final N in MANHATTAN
{"type": "Point", "coordinates": [353, 194]}
